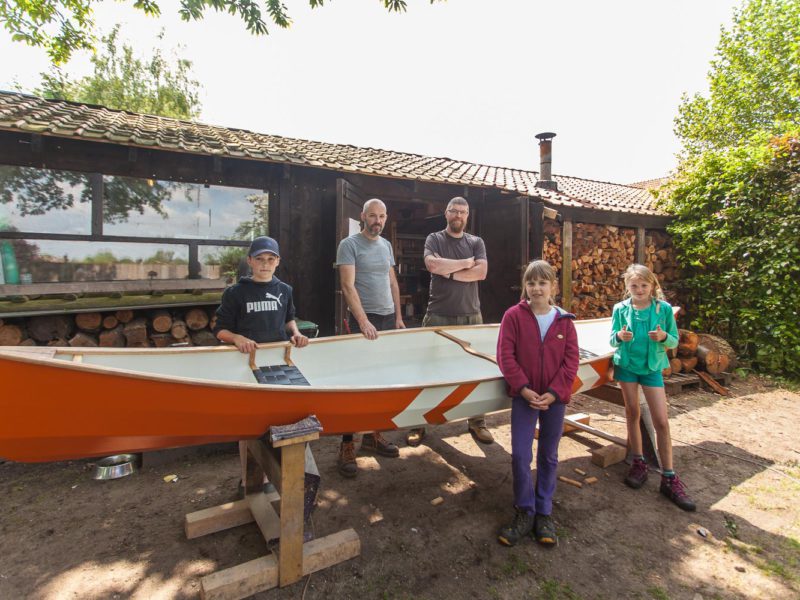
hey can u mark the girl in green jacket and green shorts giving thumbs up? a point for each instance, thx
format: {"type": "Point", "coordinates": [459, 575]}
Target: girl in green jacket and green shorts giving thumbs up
{"type": "Point", "coordinates": [642, 328]}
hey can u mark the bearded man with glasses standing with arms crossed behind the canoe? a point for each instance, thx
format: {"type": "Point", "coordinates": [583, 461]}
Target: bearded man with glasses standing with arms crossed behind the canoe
{"type": "Point", "coordinates": [457, 262]}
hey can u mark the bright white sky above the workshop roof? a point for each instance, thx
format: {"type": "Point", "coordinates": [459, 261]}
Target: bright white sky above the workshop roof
{"type": "Point", "coordinates": [466, 79]}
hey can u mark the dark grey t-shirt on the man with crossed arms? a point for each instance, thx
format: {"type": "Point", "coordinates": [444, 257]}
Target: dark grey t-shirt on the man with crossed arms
{"type": "Point", "coordinates": [449, 297]}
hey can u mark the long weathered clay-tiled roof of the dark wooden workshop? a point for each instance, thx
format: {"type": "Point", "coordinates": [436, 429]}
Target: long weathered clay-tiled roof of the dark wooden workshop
{"type": "Point", "coordinates": [21, 112]}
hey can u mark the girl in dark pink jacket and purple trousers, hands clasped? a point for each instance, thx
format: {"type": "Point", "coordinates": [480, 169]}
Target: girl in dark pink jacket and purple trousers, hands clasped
{"type": "Point", "coordinates": [537, 351]}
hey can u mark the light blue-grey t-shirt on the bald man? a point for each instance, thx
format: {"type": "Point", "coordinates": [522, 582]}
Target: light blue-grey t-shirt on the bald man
{"type": "Point", "coordinates": [372, 260]}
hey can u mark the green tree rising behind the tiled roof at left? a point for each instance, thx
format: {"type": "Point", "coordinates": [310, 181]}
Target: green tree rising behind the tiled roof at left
{"type": "Point", "coordinates": [122, 81]}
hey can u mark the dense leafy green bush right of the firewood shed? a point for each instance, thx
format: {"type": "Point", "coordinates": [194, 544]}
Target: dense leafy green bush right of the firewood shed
{"type": "Point", "coordinates": [737, 232]}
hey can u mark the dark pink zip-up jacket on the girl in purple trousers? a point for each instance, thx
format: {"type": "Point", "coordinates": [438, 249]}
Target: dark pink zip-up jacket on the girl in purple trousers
{"type": "Point", "coordinates": [525, 360]}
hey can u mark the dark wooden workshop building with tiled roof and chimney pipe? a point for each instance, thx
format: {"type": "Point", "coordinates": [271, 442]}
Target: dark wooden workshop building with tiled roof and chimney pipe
{"type": "Point", "coordinates": [132, 177]}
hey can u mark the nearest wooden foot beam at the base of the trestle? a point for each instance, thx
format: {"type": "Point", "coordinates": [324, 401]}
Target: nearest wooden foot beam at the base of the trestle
{"type": "Point", "coordinates": [261, 574]}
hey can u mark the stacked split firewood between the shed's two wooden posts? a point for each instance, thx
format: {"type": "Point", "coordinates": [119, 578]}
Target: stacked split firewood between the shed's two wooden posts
{"type": "Point", "coordinates": [600, 255]}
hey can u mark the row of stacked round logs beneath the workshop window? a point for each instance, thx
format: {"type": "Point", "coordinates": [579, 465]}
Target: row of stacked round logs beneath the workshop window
{"type": "Point", "coordinates": [122, 328]}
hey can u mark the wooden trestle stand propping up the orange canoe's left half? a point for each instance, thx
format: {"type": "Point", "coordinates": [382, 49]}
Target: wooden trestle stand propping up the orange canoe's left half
{"type": "Point", "coordinates": [283, 462]}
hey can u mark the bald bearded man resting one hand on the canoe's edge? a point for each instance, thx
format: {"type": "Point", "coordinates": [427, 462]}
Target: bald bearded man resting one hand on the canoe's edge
{"type": "Point", "coordinates": [369, 287]}
